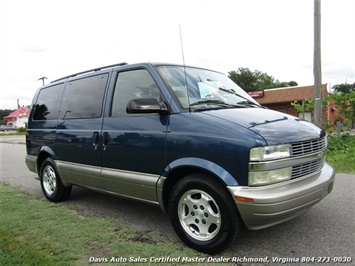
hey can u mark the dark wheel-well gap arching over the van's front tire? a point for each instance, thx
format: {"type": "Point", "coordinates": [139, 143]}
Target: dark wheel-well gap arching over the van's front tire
{"type": "Point", "coordinates": [176, 175]}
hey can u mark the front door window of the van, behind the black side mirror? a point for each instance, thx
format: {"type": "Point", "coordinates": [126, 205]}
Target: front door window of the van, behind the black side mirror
{"type": "Point", "coordinates": [132, 85]}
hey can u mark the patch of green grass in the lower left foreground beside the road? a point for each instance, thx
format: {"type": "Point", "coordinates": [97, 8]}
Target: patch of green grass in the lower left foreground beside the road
{"type": "Point", "coordinates": [34, 231]}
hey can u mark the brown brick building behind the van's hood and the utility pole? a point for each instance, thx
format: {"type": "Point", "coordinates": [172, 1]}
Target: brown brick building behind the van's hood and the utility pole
{"type": "Point", "coordinates": [280, 99]}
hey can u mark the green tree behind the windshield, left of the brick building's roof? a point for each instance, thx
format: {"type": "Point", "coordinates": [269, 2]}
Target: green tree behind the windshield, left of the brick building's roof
{"type": "Point", "coordinates": [256, 80]}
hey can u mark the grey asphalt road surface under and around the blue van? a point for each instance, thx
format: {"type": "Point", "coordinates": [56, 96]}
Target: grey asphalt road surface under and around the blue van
{"type": "Point", "coordinates": [325, 232]}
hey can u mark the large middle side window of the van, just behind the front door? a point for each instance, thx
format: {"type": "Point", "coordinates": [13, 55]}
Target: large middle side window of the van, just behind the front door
{"type": "Point", "coordinates": [83, 98]}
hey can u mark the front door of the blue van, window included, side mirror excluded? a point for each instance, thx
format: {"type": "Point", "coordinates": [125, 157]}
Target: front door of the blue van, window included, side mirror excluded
{"type": "Point", "coordinates": [133, 144]}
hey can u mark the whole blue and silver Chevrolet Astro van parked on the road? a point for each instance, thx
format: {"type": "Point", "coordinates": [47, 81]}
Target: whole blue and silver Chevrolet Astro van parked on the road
{"type": "Point", "coordinates": [184, 138]}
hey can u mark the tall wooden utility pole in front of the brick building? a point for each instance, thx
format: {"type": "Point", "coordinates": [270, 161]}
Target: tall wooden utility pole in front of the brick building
{"type": "Point", "coordinates": [317, 71]}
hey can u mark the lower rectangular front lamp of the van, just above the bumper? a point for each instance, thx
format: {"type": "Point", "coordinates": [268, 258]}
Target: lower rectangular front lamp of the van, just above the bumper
{"type": "Point", "coordinates": [269, 177]}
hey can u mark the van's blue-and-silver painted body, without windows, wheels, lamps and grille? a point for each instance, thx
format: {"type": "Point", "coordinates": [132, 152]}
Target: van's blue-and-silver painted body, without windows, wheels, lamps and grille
{"type": "Point", "coordinates": [143, 156]}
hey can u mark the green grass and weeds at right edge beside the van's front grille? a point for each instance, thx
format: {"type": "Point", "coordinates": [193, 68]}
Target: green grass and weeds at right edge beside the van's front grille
{"type": "Point", "coordinates": [341, 153]}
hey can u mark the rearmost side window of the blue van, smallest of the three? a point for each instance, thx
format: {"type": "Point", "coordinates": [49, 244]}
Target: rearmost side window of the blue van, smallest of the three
{"type": "Point", "coordinates": [47, 104]}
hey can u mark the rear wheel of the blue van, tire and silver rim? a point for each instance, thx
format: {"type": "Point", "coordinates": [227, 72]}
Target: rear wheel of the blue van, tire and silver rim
{"type": "Point", "coordinates": [51, 184]}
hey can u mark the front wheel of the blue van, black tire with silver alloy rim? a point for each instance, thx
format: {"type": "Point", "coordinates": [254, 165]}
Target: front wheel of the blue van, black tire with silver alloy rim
{"type": "Point", "coordinates": [203, 213]}
